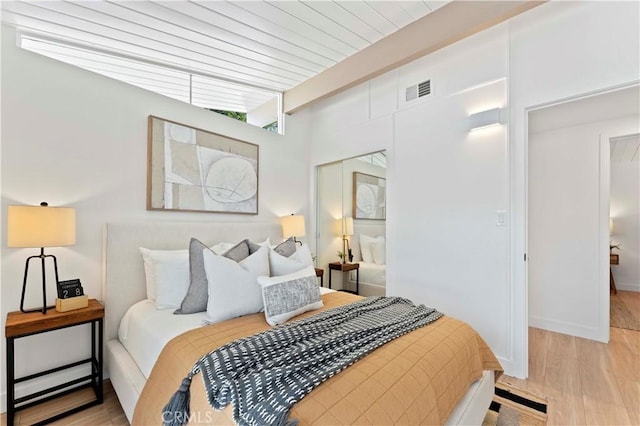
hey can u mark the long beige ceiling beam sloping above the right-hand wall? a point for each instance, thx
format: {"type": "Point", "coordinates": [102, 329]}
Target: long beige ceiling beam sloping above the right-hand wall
{"type": "Point", "coordinates": [443, 27]}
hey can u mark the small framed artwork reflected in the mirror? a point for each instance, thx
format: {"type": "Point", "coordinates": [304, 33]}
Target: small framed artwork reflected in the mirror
{"type": "Point", "coordinates": [369, 197]}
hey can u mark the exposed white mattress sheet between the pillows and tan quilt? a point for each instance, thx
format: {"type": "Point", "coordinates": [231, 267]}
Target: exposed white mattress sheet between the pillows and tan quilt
{"type": "Point", "coordinates": [144, 330]}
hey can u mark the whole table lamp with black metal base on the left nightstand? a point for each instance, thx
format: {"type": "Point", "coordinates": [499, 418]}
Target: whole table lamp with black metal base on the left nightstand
{"type": "Point", "coordinates": [40, 226]}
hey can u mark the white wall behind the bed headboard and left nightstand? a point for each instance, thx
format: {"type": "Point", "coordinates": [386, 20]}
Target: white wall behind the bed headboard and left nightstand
{"type": "Point", "coordinates": [79, 139]}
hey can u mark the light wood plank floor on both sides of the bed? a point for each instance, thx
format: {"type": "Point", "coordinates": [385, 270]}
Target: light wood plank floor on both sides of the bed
{"type": "Point", "coordinates": [585, 382]}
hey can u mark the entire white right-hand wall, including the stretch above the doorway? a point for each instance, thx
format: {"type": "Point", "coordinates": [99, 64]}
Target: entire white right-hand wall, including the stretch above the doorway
{"type": "Point", "coordinates": [445, 185]}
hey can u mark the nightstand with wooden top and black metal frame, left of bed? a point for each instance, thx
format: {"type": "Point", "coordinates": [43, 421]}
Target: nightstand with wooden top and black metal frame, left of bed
{"type": "Point", "coordinates": [21, 324]}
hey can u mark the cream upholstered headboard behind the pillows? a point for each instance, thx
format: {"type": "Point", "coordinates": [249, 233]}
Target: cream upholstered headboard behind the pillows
{"type": "Point", "coordinates": [124, 279]}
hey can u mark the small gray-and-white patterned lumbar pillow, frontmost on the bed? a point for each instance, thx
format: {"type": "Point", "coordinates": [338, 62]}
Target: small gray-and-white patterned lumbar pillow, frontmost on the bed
{"type": "Point", "coordinates": [289, 295]}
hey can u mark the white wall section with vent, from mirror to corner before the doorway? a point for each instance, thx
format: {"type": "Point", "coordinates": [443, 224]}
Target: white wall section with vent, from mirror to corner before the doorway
{"type": "Point", "coordinates": [443, 245]}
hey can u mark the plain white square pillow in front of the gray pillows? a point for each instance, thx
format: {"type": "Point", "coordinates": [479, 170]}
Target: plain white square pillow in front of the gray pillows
{"type": "Point", "coordinates": [233, 287]}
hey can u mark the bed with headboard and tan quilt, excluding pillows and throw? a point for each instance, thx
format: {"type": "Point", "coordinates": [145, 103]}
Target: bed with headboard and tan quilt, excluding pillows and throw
{"type": "Point", "coordinates": [149, 383]}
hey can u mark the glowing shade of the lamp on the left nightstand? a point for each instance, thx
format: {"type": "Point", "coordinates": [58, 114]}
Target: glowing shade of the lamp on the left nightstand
{"type": "Point", "coordinates": [41, 226]}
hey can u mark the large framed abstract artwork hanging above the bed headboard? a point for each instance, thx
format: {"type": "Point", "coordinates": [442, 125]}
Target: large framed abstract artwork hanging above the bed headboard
{"type": "Point", "coordinates": [191, 169]}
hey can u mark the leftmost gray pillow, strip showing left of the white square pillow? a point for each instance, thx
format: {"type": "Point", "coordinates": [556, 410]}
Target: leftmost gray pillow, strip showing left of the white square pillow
{"type": "Point", "coordinates": [196, 298]}
